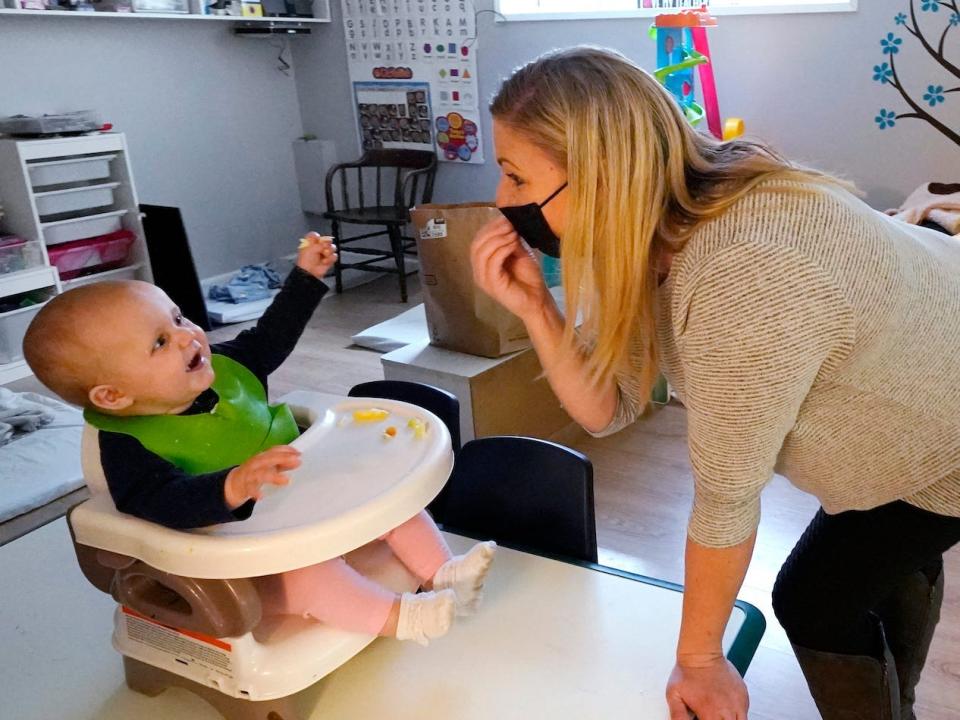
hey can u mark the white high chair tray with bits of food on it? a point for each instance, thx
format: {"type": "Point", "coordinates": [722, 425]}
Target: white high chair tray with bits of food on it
{"type": "Point", "coordinates": [355, 483]}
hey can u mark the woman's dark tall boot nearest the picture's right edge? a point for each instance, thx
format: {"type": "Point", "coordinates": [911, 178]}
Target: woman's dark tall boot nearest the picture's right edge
{"type": "Point", "coordinates": [909, 617]}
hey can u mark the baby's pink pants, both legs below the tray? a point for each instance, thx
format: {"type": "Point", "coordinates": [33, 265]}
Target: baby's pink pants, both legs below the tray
{"type": "Point", "coordinates": [334, 593]}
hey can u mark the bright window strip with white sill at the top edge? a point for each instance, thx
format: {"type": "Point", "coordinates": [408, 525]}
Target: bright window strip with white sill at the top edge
{"type": "Point", "coordinates": [584, 9]}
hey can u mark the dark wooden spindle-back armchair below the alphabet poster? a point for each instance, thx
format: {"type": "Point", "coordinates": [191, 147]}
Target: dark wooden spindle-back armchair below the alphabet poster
{"type": "Point", "coordinates": [379, 189]}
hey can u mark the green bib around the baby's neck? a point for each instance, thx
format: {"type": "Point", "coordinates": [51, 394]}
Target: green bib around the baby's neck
{"type": "Point", "coordinates": [241, 425]}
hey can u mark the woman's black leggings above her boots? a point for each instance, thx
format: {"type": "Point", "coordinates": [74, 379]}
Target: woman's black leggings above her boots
{"type": "Point", "coordinates": [844, 566]}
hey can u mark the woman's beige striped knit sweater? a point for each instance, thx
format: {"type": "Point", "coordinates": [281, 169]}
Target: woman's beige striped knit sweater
{"type": "Point", "coordinates": [810, 335]}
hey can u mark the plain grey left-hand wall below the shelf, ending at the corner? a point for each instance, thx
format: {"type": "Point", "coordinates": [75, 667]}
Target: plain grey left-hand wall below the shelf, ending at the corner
{"type": "Point", "coordinates": [209, 119]}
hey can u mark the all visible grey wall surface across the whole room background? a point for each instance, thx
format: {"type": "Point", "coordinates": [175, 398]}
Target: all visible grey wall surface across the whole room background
{"type": "Point", "coordinates": [209, 118]}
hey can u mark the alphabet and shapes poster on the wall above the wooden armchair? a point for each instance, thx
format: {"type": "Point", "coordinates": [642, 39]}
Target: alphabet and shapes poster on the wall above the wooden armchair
{"type": "Point", "coordinates": [413, 67]}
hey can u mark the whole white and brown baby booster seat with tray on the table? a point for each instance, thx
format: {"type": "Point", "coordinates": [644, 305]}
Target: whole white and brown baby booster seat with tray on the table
{"type": "Point", "coordinates": [189, 613]}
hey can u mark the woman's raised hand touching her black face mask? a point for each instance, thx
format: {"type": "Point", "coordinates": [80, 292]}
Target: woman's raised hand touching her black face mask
{"type": "Point", "coordinates": [505, 269]}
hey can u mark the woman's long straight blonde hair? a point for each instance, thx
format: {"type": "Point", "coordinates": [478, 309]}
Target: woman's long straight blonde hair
{"type": "Point", "coordinates": [640, 181]}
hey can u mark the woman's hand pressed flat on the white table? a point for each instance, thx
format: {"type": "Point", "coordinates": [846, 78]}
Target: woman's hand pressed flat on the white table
{"type": "Point", "coordinates": [710, 688]}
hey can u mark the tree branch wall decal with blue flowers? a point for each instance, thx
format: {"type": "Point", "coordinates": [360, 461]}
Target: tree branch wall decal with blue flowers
{"type": "Point", "coordinates": [933, 94]}
